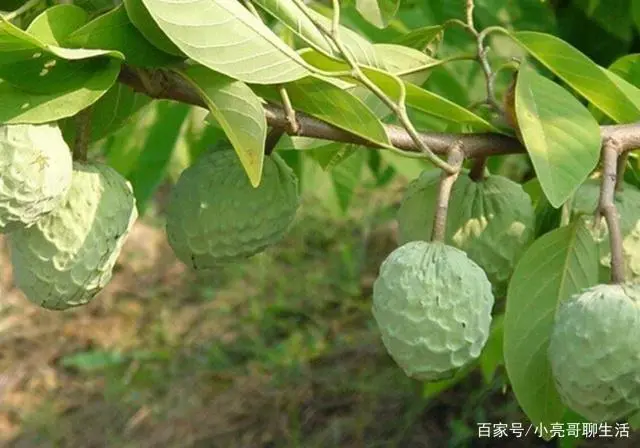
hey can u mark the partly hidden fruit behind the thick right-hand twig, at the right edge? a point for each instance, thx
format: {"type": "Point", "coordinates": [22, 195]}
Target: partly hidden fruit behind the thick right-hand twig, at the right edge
{"type": "Point", "coordinates": [627, 203]}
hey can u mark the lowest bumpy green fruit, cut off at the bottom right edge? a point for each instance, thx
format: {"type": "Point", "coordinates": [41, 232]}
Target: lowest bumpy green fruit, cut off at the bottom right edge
{"type": "Point", "coordinates": [594, 351]}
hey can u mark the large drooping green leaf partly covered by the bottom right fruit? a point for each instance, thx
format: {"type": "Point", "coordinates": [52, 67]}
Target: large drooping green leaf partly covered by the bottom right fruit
{"type": "Point", "coordinates": [556, 266]}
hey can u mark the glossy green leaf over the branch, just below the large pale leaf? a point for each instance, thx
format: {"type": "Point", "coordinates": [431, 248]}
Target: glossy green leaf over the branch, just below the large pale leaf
{"type": "Point", "coordinates": [324, 100]}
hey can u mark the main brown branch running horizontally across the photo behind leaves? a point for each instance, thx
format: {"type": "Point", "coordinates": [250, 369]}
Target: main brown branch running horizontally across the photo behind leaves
{"type": "Point", "coordinates": [169, 86]}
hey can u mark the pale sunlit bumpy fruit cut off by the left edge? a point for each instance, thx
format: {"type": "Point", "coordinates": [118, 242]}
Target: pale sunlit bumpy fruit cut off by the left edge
{"type": "Point", "coordinates": [35, 173]}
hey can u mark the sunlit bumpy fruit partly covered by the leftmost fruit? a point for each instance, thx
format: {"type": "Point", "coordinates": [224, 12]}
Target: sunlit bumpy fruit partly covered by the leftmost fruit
{"type": "Point", "coordinates": [67, 257]}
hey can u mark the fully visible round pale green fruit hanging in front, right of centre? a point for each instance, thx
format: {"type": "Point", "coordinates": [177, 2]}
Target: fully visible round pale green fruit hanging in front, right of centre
{"type": "Point", "coordinates": [433, 307]}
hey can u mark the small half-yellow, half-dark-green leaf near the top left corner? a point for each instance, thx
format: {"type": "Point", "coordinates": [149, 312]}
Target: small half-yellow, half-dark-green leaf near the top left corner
{"type": "Point", "coordinates": [56, 23]}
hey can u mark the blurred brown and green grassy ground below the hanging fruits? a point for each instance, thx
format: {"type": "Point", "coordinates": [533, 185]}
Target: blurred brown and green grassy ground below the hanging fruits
{"type": "Point", "coordinates": [277, 351]}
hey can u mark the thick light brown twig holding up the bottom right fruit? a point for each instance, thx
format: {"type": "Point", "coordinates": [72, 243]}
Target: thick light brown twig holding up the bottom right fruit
{"type": "Point", "coordinates": [606, 207]}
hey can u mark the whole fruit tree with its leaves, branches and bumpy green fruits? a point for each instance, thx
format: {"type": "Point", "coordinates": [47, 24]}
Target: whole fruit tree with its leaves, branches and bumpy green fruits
{"type": "Point", "coordinates": [515, 123]}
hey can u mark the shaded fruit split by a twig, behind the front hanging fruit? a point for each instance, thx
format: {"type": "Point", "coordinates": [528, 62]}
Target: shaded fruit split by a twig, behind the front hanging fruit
{"type": "Point", "coordinates": [492, 220]}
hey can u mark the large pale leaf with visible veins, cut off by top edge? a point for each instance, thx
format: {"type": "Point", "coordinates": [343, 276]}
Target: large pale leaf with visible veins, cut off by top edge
{"type": "Point", "coordinates": [224, 36]}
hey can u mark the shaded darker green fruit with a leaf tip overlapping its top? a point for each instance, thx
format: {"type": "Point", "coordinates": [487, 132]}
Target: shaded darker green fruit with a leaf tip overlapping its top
{"type": "Point", "coordinates": [215, 215]}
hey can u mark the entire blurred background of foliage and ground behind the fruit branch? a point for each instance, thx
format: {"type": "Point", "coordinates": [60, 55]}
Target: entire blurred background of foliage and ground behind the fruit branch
{"type": "Point", "coordinates": [280, 350]}
